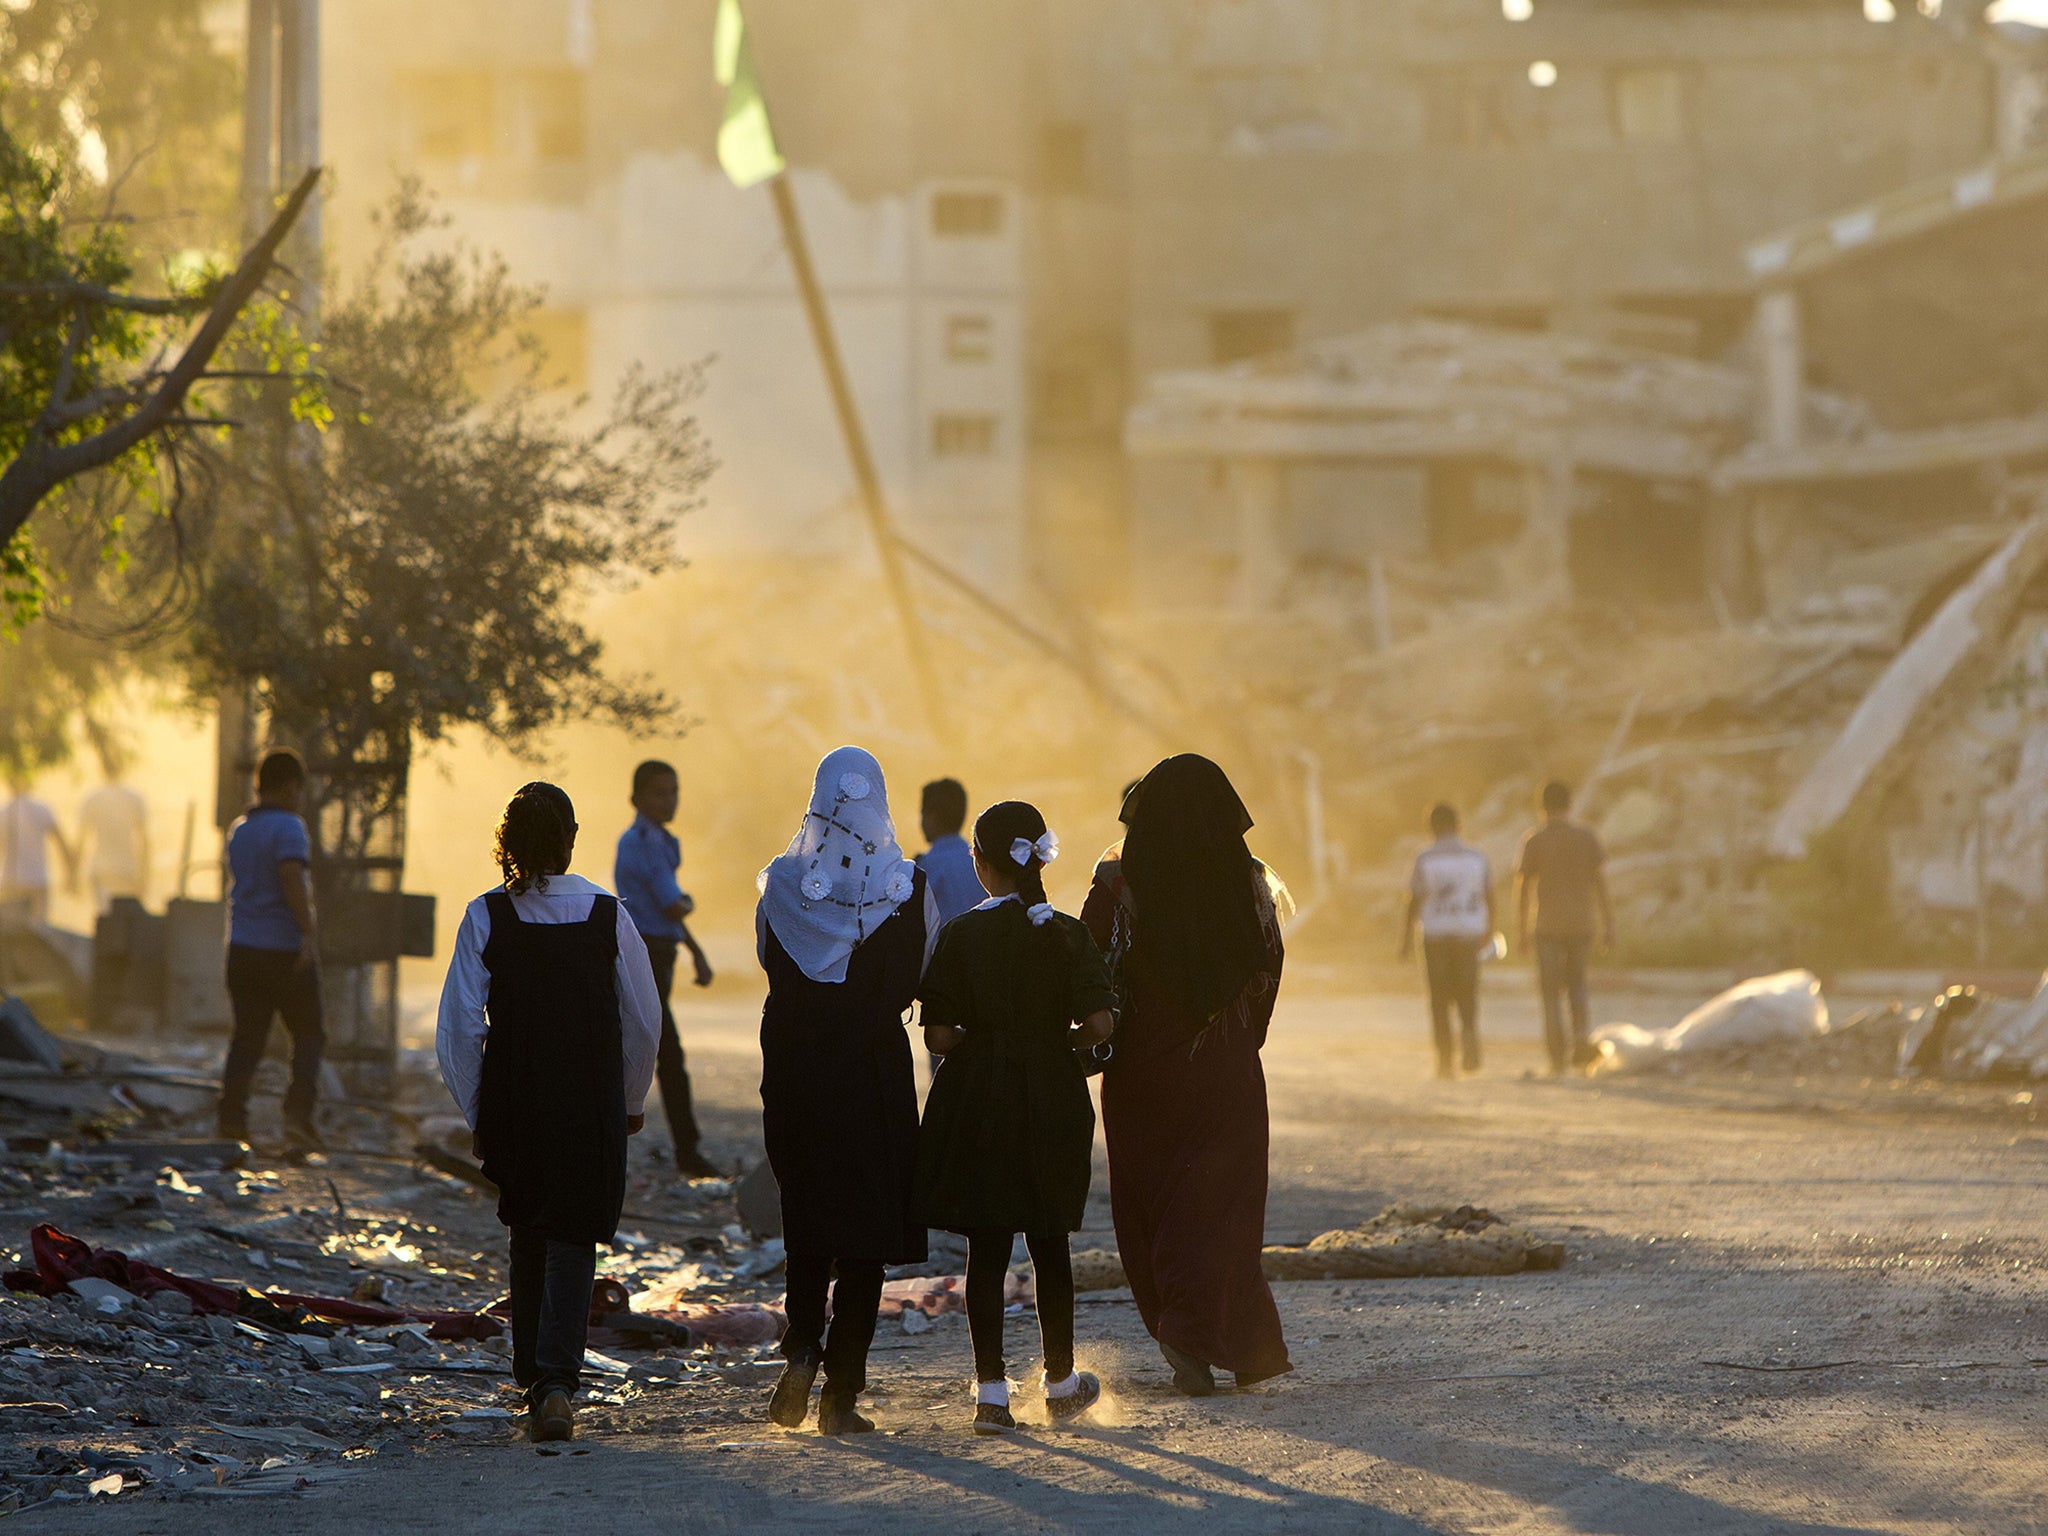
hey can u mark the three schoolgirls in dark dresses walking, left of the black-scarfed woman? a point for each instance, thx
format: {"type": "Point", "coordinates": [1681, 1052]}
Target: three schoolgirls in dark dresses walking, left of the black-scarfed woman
{"type": "Point", "coordinates": [552, 1023]}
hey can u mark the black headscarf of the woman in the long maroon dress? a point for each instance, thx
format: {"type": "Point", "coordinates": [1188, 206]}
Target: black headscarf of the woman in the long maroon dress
{"type": "Point", "coordinates": [1199, 929]}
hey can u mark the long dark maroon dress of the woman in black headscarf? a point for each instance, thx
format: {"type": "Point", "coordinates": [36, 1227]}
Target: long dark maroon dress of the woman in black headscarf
{"type": "Point", "coordinates": [1187, 1134]}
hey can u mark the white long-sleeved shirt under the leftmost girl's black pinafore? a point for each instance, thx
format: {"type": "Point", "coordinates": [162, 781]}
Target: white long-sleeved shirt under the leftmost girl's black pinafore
{"type": "Point", "coordinates": [464, 1025]}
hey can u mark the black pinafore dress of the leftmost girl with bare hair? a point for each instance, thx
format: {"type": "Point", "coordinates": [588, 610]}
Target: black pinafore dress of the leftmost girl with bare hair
{"type": "Point", "coordinates": [554, 1105]}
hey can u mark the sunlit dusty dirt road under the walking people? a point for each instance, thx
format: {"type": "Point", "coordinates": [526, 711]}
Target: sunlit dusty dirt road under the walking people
{"type": "Point", "coordinates": [1791, 1308]}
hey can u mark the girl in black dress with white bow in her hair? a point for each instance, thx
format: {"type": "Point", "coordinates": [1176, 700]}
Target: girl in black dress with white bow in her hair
{"type": "Point", "coordinates": [1009, 1129]}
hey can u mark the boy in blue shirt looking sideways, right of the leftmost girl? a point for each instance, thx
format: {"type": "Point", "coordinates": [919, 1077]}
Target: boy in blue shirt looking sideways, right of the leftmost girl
{"type": "Point", "coordinates": [646, 882]}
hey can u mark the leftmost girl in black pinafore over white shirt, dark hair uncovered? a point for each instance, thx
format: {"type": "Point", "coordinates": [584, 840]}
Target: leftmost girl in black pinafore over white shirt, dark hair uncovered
{"type": "Point", "coordinates": [550, 1027]}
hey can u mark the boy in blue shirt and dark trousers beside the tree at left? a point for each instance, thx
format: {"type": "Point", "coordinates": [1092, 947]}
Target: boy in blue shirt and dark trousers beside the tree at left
{"type": "Point", "coordinates": [273, 951]}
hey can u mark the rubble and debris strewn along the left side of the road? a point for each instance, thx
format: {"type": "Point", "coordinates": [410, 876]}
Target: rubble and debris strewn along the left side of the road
{"type": "Point", "coordinates": [108, 1392]}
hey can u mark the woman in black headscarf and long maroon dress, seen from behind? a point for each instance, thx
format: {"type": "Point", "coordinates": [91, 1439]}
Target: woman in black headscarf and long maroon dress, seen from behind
{"type": "Point", "coordinates": [1191, 923]}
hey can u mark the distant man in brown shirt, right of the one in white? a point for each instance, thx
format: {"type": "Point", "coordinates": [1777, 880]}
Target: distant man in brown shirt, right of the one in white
{"type": "Point", "coordinates": [1560, 873]}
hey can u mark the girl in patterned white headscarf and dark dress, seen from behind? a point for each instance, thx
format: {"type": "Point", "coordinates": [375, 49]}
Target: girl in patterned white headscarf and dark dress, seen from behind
{"type": "Point", "coordinates": [845, 929]}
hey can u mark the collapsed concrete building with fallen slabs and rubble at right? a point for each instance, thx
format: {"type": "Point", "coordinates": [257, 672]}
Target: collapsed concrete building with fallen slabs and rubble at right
{"type": "Point", "coordinates": [1781, 615]}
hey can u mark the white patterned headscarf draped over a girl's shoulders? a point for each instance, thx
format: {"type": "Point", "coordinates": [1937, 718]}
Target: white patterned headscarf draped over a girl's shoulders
{"type": "Point", "coordinates": [843, 873]}
